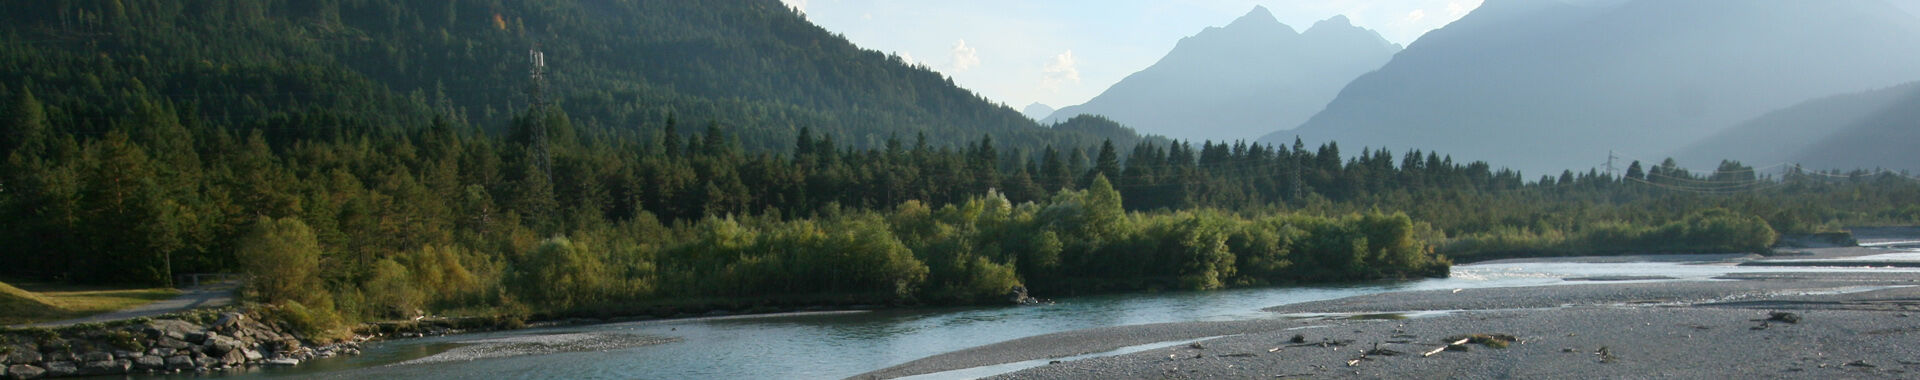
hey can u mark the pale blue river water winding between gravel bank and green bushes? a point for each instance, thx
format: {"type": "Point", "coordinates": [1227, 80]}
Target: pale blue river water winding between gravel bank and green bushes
{"type": "Point", "coordinates": [844, 344]}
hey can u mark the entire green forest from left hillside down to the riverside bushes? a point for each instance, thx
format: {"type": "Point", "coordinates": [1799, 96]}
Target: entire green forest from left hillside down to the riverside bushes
{"type": "Point", "coordinates": [356, 189]}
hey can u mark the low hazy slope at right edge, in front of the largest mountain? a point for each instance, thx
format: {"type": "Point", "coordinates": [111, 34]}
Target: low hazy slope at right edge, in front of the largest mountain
{"type": "Point", "coordinates": [1790, 135]}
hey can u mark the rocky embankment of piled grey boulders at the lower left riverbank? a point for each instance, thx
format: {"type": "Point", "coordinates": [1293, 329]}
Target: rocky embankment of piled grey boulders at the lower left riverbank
{"type": "Point", "coordinates": [158, 346]}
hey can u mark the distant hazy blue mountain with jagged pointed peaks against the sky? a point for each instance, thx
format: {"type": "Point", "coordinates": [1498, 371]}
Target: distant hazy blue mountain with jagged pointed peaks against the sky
{"type": "Point", "coordinates": [1243, 80]}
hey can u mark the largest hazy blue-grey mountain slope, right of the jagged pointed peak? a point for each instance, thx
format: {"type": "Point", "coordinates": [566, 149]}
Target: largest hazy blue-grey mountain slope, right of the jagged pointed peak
{"type": "Point", "coordinates": [1547, 87]}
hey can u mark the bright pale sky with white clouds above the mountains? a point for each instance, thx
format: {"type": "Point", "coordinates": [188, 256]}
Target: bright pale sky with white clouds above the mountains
{"type": "Point", "coordinates": [1063, 53]}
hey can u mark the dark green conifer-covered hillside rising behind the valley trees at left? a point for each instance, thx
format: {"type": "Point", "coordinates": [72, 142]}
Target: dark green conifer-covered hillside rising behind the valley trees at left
{"type": "Point", "coordinates": [316, 68]}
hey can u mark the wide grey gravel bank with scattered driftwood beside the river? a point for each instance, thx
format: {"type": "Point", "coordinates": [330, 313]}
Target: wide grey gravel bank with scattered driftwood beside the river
{"type": "Point", "coordinates": [1850, 325]}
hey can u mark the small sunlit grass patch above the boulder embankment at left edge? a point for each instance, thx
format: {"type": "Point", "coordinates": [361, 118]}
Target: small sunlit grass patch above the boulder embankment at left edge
{"type": "Point", "coordinates": [37, 302]}
